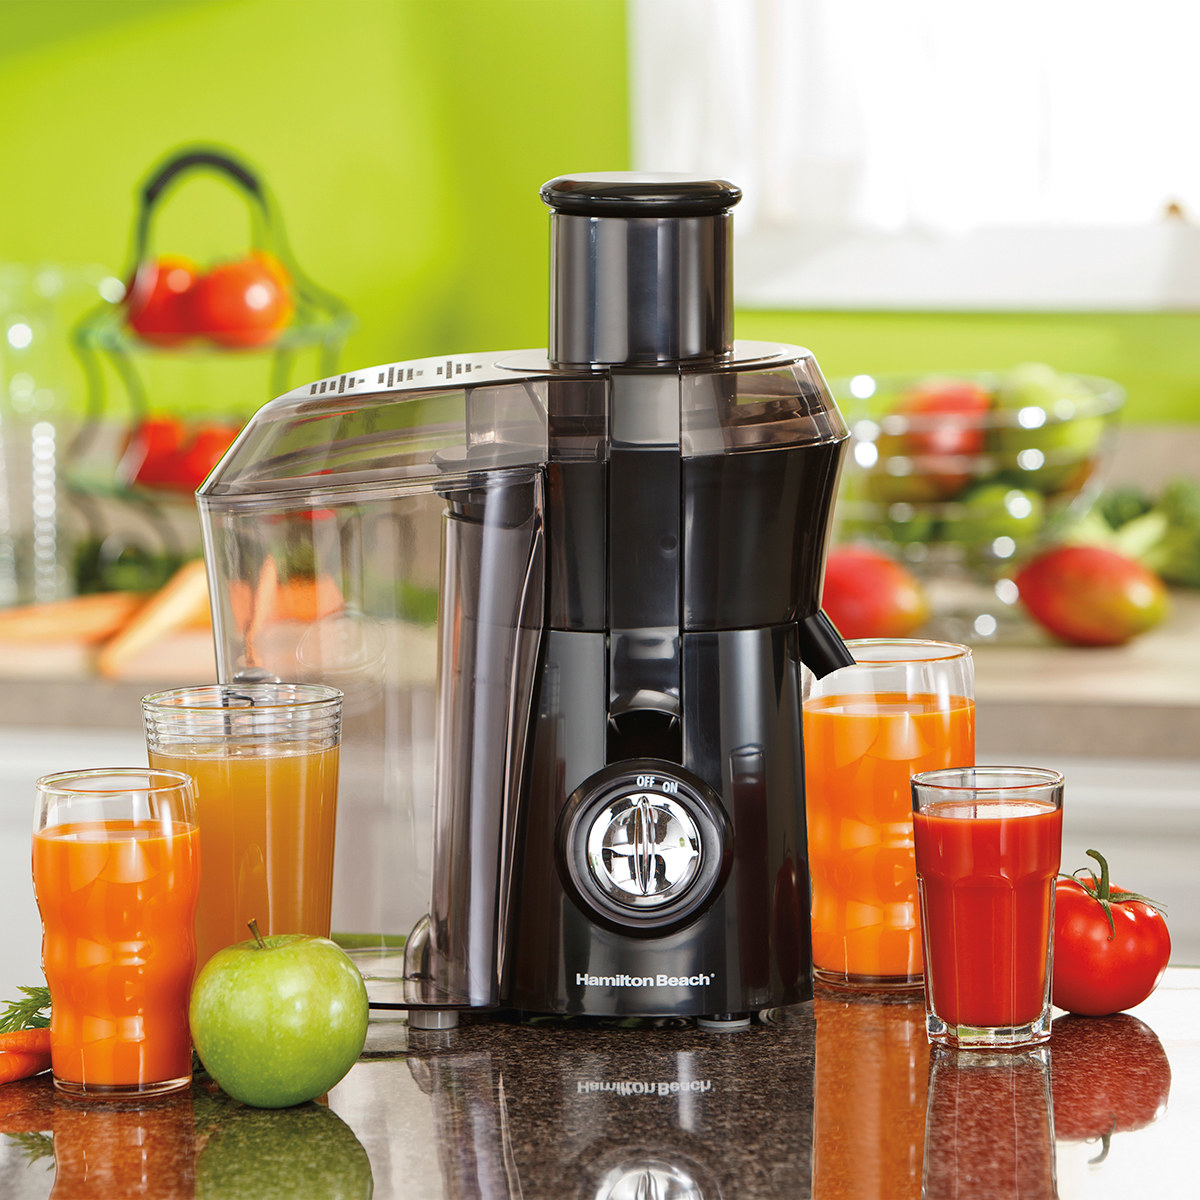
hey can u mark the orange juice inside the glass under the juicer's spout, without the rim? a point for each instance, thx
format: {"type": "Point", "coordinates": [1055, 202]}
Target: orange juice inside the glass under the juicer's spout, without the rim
{"type": "Point", "coordinates": [860, 754]}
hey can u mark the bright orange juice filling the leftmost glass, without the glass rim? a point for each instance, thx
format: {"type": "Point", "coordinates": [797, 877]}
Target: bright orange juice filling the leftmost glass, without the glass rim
{"type": "Point", "coordinates": [118, 902]}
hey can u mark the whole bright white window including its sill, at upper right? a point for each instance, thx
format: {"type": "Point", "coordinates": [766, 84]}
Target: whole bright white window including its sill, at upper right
{"type": "Point", "coordinates": [1039, 154]}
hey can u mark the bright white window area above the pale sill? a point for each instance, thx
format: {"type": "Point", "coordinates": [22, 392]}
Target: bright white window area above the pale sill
{"type": "Point", "coordinates": [935, 117]}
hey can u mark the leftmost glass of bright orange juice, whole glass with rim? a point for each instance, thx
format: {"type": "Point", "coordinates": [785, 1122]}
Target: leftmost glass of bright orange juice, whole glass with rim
{"type": "Point", "coordinates": [117, 878]}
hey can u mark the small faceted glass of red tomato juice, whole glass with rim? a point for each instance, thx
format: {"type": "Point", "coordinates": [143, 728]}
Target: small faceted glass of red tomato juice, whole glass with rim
{"type": "Point", "coordinates": [988, 844]}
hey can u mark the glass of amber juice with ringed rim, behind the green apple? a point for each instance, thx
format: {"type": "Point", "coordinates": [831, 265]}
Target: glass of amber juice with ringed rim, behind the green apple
{"type": "Point", "coordinates": [263, 758]}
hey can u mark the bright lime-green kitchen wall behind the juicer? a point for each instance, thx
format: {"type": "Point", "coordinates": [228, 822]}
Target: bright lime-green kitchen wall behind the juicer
{"type": "Point", "coordinates": [405, 142]}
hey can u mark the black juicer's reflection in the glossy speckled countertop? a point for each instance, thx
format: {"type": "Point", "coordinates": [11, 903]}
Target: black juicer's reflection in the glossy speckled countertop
{"type": "Point", "coordinates": [549, 1111]}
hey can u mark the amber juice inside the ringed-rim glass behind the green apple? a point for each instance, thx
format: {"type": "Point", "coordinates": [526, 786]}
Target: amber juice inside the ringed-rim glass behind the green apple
{"type": "Point", "coordinates": [267, 825]}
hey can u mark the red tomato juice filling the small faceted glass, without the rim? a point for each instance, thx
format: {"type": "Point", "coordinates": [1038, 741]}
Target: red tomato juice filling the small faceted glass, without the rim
{"type": "Point", "coordinates": [987, 890]}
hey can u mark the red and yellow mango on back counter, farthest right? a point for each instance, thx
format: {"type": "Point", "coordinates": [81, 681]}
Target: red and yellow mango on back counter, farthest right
{"type": "Point", "coordinates": [1091, 596]}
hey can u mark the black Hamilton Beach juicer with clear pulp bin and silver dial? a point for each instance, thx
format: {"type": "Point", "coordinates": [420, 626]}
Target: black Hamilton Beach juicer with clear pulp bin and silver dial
{"type": "Point", "coordinates": [568, 599]}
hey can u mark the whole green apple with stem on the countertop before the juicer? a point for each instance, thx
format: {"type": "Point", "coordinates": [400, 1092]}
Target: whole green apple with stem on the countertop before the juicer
{"type": "Point", "coordinates": [279, 1021]}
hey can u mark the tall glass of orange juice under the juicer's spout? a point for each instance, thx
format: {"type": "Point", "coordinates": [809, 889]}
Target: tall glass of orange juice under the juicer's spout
{"type": "Point", "coordinates": [903, 707]}
